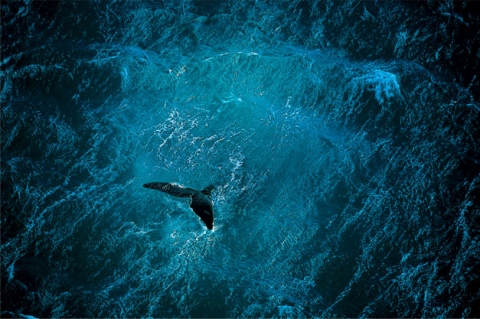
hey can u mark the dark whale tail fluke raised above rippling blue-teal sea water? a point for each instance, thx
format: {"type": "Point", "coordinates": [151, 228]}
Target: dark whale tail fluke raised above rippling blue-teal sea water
{"type": "Point", "coordinates": [200, 201]}
